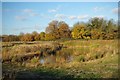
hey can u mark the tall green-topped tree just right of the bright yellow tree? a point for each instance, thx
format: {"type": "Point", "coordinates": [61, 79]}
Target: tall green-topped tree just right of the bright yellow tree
{"type": "Point", "coordinates": [98, 28]}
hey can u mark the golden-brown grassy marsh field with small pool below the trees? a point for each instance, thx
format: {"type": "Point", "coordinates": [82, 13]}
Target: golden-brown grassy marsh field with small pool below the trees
{"type": "Point", "coordinates": [60, 60]}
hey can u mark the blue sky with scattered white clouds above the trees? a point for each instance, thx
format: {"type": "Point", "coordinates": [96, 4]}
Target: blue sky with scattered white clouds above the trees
{"type": "Point", "coordinates": [34, 16]}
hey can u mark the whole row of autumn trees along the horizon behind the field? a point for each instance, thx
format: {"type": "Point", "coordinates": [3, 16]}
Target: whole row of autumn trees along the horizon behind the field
{"type": "Point", "coordinates": [95, 28]}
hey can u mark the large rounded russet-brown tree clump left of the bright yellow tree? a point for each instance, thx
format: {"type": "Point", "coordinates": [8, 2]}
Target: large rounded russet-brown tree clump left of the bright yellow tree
{"type": "Point", "coordinates": [57, 30]}
